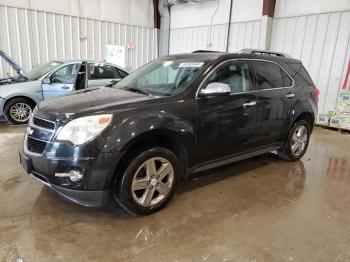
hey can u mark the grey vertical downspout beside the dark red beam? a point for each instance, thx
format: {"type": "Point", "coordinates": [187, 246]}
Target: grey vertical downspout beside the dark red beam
{"type": "Point", "coordinates": [164, 32]}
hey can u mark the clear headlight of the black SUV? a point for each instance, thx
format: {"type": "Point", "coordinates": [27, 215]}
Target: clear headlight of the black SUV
{"type": "Point", "coordinates": [84, 129]}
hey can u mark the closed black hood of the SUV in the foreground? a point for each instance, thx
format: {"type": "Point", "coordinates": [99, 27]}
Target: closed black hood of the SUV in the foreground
{"type": "Point", "coordinates": [90, 101]}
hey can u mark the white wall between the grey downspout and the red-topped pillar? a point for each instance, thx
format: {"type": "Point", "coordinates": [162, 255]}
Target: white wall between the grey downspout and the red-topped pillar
{"type": "Point", "coordinates": [204, 26]}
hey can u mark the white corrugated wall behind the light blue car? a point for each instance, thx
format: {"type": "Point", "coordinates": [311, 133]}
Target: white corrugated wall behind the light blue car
{"type": "Point", "coordinates": [33, 37]}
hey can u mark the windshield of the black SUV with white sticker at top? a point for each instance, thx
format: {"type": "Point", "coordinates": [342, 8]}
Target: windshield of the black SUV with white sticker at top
{"type": "Point", "coordinates": [163, 76]}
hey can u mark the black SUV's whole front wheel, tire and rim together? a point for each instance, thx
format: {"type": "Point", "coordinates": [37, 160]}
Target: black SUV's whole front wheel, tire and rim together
{"type": "Point", "coordinates": [148, 182]}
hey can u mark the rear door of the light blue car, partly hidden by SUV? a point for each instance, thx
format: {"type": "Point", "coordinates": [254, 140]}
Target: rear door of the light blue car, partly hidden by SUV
{"type": "Point", "coordinates": [101, 74]}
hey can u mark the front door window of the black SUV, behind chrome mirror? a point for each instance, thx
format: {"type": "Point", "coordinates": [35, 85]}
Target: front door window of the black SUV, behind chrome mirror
{"type": "Point", "coordinates": [235, 74]}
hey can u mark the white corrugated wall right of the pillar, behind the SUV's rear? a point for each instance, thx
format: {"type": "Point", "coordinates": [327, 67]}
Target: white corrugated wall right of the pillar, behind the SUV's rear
{"type": "Point", "coordinates": [320, 40]}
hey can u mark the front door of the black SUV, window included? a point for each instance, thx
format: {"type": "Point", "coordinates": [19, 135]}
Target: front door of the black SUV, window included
{"type": "Point", "coordinates": [227, 124]}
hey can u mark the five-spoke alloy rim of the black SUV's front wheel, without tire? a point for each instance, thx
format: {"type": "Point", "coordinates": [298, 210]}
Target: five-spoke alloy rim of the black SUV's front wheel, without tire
{"type": "Point", "coordinates": [152, 181]}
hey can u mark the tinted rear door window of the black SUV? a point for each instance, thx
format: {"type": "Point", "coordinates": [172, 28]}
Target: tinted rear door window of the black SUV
{"type": "Point", "coordinates": [269, 75]}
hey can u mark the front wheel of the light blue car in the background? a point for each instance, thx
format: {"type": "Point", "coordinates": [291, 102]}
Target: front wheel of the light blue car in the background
{"type": "Point", "coordinates": [18, 110]}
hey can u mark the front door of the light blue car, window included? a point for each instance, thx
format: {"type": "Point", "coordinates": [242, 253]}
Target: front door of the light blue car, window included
{"type": "Point", "coordinates": [61, 81]}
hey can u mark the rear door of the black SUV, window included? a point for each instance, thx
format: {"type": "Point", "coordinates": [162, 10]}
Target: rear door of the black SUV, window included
{"type": "Point", "coordinates": [275, 97]}
